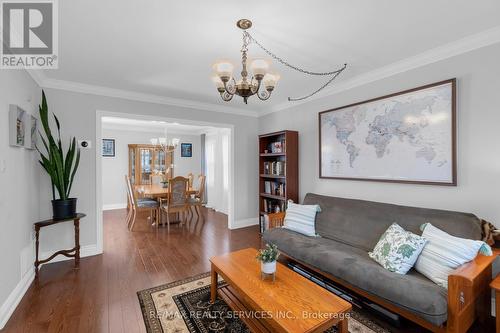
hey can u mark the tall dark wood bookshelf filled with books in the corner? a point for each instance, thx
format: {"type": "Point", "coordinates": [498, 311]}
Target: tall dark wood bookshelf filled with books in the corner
{"type": "Point", "coordinates": [286, 181]}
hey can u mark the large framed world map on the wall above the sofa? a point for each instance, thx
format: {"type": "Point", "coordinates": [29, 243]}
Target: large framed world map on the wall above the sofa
{"type": "Point", "coordinates": [406, 137]}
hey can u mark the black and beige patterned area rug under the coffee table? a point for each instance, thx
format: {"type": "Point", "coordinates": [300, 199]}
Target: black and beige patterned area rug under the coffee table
{"type": "Point", "coordinates": [183, 306]}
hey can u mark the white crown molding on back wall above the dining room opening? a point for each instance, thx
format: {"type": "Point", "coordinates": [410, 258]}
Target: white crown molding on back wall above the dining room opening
{"type": "Point", "coordinates": [141, 97]}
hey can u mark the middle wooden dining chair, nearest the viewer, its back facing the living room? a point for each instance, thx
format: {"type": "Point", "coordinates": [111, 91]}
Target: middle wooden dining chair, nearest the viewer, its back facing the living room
{"type": "Point", "coordinates": [177, 198]}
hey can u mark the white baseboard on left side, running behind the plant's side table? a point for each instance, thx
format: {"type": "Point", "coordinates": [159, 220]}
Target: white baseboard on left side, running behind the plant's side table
{"type": "Point", "coordinates": [17, 294]}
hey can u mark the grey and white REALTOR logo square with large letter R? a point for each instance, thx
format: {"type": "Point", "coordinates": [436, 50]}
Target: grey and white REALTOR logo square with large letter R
{"type": "Point", "coordinates": [29, 34]}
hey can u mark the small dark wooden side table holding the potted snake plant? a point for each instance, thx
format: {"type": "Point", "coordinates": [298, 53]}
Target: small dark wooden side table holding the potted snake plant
{"type": "Point", "coordinates": [71, 253]}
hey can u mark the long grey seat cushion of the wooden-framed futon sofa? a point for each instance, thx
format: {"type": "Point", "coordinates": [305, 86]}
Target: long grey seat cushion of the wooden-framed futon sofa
{"type": "Point", "coordinates": [412, 291]}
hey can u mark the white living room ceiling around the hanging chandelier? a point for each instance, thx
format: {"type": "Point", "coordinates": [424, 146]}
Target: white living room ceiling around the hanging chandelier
{"type": "Point", "coordinates": [166, 48]}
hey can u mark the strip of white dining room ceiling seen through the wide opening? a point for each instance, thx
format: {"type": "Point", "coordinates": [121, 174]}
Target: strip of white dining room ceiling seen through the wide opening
{"type": "Point", "coordinates": [153, 126]}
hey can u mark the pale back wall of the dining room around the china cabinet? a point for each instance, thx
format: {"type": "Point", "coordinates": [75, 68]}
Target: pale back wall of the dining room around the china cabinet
{"type": "Point", "coordinates": [115, 168]}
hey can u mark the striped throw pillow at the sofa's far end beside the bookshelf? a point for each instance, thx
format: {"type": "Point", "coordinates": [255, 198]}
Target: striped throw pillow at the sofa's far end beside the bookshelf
{"type": "Point", "coordinates": [301, 218]}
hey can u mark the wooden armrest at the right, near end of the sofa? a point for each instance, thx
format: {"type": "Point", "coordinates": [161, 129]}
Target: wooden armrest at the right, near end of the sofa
{"type": "Point", "coordinates": [469, 294]}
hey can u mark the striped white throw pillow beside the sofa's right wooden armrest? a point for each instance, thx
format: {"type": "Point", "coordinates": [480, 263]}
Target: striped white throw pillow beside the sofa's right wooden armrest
{"type": "Point", "coordinates": [443, 253]}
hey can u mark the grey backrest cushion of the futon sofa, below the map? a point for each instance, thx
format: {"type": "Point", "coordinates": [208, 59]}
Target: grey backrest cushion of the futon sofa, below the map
{"type": "Point", "coordinates": [361, 223]}
